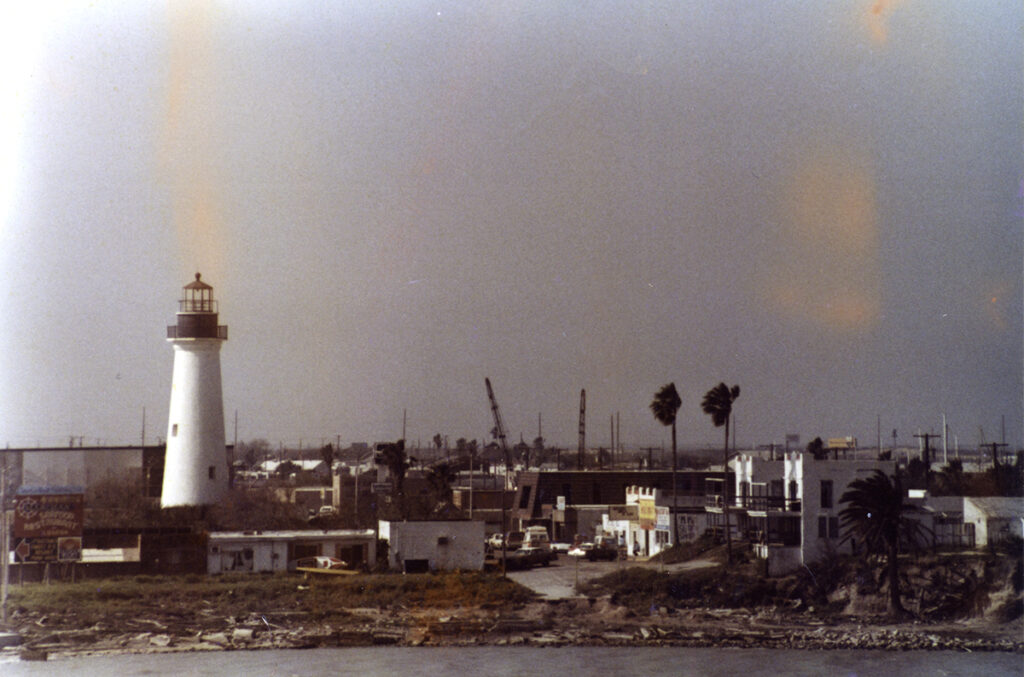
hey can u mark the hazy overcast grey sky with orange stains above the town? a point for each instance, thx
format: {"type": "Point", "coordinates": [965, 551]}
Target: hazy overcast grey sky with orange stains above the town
{"type": "Point", "coordinates": [820, 202]}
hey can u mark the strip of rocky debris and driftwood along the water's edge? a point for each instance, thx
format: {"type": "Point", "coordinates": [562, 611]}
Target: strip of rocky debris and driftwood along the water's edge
{"type": "Point", "coordinates": [586, 622]}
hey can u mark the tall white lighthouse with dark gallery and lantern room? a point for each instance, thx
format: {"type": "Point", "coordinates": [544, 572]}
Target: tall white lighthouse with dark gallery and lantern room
{"type": "Point", "coordinates": [196, 463]}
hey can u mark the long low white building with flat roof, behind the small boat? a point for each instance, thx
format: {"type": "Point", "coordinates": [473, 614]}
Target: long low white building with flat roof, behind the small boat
{"type": "Point", "coordinates": [272, 552]}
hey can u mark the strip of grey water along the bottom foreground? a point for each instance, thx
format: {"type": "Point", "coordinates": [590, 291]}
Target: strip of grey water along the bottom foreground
{"type": "Point", "coordinates": [498, 662]}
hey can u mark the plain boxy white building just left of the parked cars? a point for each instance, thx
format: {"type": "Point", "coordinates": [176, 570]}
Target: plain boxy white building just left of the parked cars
{"type": "Point", "coordinates": [435, 545]}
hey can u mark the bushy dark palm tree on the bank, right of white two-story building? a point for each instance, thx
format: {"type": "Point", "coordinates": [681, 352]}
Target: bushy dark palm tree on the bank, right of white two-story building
{"type": "Point", "coordinates": [875, 517]}
